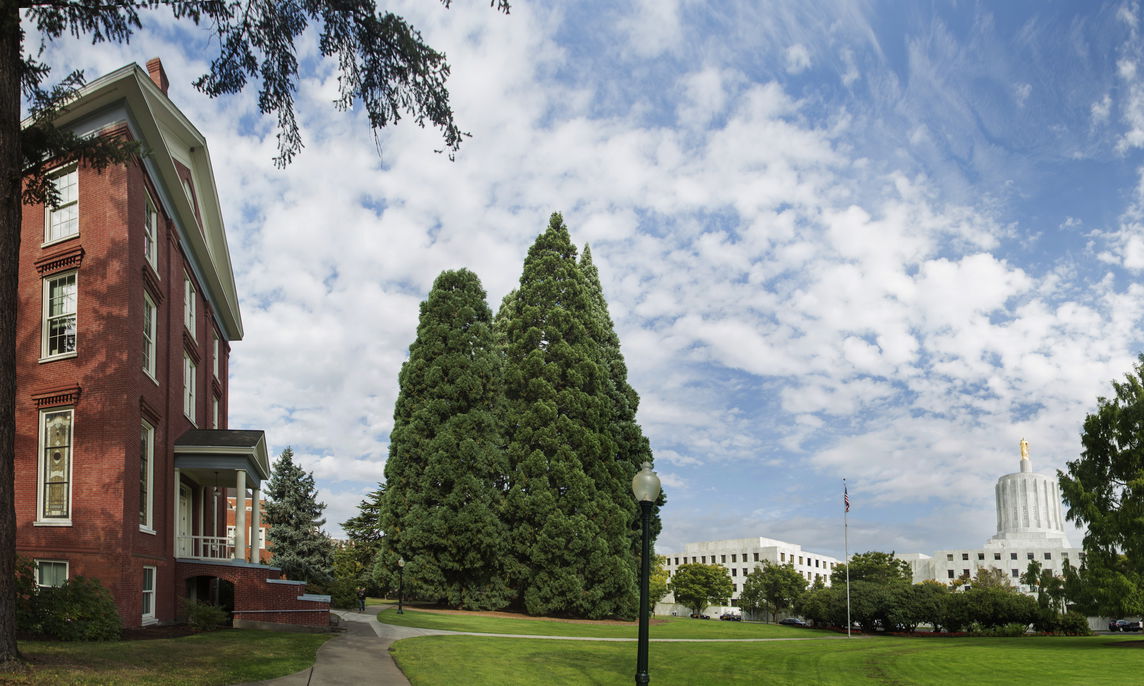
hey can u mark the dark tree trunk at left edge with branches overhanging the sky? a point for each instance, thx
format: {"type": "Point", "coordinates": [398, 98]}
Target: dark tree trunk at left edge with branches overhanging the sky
{"type": "Point", "coordinates": [385, 67]}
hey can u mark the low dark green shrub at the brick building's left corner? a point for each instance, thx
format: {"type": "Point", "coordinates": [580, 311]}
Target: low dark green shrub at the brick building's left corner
{"type": "Point", "coordinates": [80, 610]}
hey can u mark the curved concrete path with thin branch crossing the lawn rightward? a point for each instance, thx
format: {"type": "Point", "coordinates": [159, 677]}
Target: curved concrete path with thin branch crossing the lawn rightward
{"type": "Point", "coordinates": [361, 656]}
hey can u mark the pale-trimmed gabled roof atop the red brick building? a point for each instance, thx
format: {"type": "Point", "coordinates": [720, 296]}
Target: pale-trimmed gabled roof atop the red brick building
{"type": "Point", "coordinates": [163, 129]}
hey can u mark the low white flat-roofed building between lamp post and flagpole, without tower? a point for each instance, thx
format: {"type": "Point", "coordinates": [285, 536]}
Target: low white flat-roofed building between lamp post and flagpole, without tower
{"type": "Point", "coordinates": [741, 557]}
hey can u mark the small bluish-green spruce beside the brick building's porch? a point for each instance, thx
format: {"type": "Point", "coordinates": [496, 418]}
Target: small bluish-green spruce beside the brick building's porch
{"type": "Point", "coordinates": [298, 545]}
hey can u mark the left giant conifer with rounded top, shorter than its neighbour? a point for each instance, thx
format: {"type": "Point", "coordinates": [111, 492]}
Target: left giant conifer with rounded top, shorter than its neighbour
{"type": "Point", "coordinates": [446, 475]}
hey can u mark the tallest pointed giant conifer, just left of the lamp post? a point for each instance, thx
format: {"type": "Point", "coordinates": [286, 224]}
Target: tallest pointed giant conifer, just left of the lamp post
{"type": "Point", "coordinates": [569, 523]}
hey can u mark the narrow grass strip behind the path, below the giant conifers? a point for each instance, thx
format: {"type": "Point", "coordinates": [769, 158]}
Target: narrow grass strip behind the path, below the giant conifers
{"type": "Point", "coordinates": [670, 628]}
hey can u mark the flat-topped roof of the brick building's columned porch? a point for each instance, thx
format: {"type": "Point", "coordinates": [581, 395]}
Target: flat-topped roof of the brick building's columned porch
{"type": "Point", "coordinates": [205, 451]}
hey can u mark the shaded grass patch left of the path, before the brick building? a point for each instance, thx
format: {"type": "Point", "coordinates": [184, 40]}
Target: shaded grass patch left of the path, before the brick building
{"type": "Point", "coordinates": [219, 658]}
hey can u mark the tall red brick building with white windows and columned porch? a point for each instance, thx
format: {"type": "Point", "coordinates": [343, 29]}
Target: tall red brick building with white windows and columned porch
{"type": "Point", "coordinates": [128, 310]}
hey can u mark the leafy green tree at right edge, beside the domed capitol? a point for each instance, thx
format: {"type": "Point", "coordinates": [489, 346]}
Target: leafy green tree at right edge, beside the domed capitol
{"type": "Point", "coordinates": [1105, 491]}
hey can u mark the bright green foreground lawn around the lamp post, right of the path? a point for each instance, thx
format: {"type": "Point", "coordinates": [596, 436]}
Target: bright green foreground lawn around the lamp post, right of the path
{"type": "Point", "coordinates": [480, 661]}
